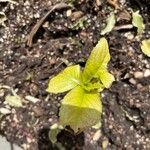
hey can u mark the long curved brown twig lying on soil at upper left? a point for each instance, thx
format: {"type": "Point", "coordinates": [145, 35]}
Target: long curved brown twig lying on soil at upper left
{"type": "Point", "coordinates": [40, 23]}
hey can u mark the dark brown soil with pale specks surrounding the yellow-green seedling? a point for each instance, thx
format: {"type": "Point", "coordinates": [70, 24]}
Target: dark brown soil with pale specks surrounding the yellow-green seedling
{"type": "Point", "coordinates": [59, 42]}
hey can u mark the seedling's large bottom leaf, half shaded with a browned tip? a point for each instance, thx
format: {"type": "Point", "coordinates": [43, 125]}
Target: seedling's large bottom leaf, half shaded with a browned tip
{"type": "Point", "coordinates": [80, 109]}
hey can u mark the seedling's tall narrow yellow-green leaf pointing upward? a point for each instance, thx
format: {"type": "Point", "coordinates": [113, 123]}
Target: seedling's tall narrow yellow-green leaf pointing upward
{"type": "Point", "coordinates": [97, 60]}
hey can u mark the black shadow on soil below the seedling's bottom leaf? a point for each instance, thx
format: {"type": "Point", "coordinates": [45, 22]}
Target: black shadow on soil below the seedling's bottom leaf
{"type": "Point", "coordinates": [66, 141]}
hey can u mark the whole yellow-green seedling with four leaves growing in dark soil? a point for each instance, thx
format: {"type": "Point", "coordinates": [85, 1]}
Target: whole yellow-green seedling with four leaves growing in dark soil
{"type": "Point", "coordinates": [81, 107]}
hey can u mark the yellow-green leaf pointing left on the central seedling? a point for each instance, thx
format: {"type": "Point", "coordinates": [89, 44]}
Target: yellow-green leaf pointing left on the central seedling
{"type": "Point", "coordinates": [65, 80]}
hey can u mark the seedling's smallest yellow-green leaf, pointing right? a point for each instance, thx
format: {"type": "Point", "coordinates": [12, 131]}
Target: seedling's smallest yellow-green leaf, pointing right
{"type": "Point", "coordinates": [105, 77]}
